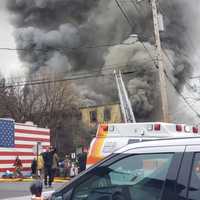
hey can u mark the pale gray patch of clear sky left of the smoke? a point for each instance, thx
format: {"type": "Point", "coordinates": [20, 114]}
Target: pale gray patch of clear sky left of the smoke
{"type": "Point", "coordinates": [9, 62]}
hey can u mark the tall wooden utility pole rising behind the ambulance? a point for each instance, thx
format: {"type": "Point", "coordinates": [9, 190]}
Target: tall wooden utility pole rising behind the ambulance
{"type": "Point", "coordinates": [163, 85]}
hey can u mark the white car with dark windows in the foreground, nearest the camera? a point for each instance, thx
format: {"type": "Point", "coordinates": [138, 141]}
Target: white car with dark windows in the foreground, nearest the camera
{"type": "Point", "coordinates": [154, 170]}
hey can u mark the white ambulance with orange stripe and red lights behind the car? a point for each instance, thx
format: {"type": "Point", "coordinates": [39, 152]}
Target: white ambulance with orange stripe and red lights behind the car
{"type": "Point", "coordinates": [111, 137]}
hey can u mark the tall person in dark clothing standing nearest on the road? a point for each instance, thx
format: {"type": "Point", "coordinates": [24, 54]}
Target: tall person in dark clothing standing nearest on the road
{"type": "Point", "coordinates": [48, 161]}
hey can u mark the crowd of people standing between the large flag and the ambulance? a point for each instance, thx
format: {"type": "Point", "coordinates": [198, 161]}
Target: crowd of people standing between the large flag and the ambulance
{"type": "Point", "coordinates": [46, 165]}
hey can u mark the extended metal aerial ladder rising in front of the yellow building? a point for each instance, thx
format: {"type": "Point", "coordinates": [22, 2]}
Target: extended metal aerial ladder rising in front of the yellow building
{"type": "Point", "coordinates": [125, 103]}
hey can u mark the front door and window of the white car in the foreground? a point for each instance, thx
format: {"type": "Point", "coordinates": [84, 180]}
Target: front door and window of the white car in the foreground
{"type": "Point", "coordinates": [142, 173]}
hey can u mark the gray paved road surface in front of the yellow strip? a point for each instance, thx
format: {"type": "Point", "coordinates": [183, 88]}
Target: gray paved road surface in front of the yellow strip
{"type": "Point", "coordinates": [11, 190]}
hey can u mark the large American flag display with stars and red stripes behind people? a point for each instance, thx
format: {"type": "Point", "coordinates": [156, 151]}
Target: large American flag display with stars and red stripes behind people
{"type": "Point", "coordinates": [20, 140]}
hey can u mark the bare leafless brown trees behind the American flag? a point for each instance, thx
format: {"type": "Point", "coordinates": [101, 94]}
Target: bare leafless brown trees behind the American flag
{"type": "Point", "coordinates": [53, 105]}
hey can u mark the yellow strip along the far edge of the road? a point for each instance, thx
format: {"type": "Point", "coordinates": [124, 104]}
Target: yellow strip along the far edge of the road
{"type": "Point", "coordinates": [12, 180]}
